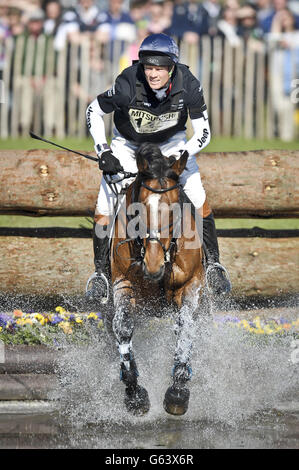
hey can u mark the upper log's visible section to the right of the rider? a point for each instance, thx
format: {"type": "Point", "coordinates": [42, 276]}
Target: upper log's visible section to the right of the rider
{"type": "Point", "coordinates": [249, 184]}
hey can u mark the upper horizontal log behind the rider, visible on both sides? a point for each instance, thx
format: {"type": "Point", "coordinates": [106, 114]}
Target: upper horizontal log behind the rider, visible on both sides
{"type": "Point", "coordinates": [247, 184]}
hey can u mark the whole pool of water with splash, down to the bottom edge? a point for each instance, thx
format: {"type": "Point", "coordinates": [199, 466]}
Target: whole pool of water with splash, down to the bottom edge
{"type": "Point", "coordinates": [243, 393]}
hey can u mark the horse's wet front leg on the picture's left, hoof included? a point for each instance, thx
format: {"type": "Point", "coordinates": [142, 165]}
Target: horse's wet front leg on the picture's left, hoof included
{"type": "Point", "coordinates": [136, 397]}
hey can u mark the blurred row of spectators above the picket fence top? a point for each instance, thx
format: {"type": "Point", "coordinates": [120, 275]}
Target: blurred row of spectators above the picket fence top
{"type": "Point", "coordinates": [132, 20]}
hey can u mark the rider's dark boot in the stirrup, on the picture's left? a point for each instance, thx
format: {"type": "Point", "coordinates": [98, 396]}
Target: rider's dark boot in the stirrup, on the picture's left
{"type": "Point", "coordinates": [97, 287]}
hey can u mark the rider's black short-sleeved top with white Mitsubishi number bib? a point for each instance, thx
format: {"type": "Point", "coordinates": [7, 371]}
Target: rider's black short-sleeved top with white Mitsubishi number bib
{"type": "Point", "coordinates": [140, 117]}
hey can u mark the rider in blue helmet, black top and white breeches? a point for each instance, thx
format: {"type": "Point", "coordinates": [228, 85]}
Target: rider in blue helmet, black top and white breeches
{"type": "Point", "coordinates": [151, 100]}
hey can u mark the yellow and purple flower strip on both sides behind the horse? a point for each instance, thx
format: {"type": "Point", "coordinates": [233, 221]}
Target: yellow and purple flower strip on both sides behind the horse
{"type": "Point", "coordinates": [50, 328]}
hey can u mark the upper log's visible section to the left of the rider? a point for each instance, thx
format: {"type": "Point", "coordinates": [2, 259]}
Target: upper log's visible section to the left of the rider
{"type": "Point", "coordinates": [43, 182]}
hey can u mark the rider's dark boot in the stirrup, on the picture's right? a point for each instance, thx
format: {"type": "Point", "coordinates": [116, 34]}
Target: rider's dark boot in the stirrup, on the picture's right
{"type": "Point", "coordinates": [217, 277]}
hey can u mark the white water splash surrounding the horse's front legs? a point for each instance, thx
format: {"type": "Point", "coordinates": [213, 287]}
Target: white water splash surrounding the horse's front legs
{"type": "Point", "coordinates": [235, 375]}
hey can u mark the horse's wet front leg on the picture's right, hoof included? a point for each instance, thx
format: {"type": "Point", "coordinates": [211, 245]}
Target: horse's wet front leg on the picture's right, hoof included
{"type": "Point", "coordinates": [176, 399]}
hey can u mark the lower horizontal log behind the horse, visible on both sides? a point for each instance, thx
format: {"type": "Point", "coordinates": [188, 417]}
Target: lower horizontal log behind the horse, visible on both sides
{"type": "Point", "coordinates": [49, 266]}
